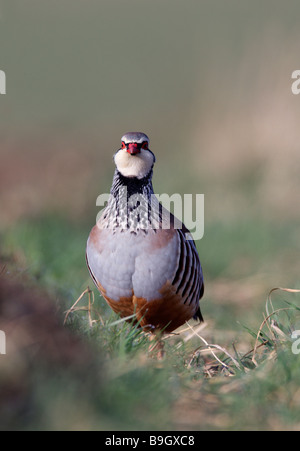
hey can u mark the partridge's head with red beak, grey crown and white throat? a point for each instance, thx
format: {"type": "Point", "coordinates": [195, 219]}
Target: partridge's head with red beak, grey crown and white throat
{"type": "Point", "coordinates": [134, 158]}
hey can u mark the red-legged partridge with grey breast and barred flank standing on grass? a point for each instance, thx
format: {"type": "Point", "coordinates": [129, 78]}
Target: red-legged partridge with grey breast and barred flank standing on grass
{"type": "Point", "coordinates": [141, 258]}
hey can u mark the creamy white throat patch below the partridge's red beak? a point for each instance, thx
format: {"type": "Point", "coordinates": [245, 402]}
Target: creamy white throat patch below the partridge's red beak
{"type": "Point", "coordinates": [138, 165]}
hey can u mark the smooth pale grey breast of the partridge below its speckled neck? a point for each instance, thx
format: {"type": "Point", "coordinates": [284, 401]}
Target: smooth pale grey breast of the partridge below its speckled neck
{"type": "Point", "coordinates": [126, 262]}
